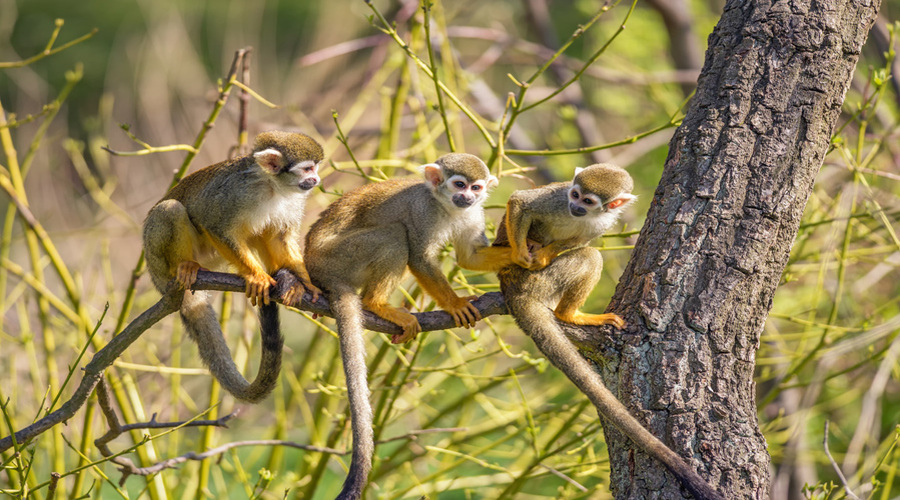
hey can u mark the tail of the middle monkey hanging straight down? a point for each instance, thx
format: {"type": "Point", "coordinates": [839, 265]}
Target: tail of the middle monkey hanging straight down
{"type": "Point", "coordinates": [347, 308]}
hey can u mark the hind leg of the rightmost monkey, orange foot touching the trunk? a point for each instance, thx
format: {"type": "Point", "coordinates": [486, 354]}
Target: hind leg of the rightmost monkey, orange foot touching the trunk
{"type": "Point", "coordinates": [583, 267]}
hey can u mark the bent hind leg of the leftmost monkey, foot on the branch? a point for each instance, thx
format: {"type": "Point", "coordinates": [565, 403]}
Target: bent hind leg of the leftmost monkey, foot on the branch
{"type": "Point", "coordinates": [170, 239]}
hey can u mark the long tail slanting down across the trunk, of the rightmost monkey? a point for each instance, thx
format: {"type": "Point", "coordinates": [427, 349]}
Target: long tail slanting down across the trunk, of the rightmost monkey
{"type": "Point", "coordinates": [551, 341]}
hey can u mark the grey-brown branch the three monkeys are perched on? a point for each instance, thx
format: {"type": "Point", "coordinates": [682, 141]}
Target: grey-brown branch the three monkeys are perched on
{"type": "Point", "coordinates": [488, 304]}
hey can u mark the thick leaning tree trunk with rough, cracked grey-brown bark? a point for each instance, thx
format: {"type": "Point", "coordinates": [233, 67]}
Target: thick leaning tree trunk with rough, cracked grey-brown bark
{"type": "Point", "coordinates": [699, 286]}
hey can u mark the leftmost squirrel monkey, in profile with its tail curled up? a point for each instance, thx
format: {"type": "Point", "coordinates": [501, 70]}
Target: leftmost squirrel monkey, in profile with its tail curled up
{"type": "Point", "coordinates": [245, 212]}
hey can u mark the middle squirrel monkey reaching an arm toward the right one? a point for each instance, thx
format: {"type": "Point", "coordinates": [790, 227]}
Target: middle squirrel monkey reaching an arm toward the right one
{"type": "Point", "coordinates": [369, 237]}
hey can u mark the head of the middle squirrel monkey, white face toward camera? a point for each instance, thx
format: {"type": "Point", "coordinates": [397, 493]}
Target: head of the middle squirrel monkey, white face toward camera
{"type": "Point", "coordinates": [460, 178]}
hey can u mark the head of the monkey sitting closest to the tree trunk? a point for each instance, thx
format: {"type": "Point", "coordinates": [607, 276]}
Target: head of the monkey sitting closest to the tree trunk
{"type": "Point", "coordinates": [599, 189]}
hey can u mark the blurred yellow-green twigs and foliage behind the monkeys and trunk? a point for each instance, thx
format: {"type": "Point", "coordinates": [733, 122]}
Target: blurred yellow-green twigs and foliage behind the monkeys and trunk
{"type": "Point", "coordinates": [505, 425]}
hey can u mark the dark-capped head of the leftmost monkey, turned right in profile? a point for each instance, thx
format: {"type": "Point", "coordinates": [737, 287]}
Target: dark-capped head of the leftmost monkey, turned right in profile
{"type": "Point", "coordinates": [292, 158]}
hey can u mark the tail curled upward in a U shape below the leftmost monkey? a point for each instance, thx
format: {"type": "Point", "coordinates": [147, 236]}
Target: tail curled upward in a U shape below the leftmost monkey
{"type": "Point", "coordinates": [202, 325]}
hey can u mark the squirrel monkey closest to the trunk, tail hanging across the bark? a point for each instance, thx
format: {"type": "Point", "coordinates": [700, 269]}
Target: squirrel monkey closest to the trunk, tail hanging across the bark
{"type": "Point", "coordinates": [560, 220]}
